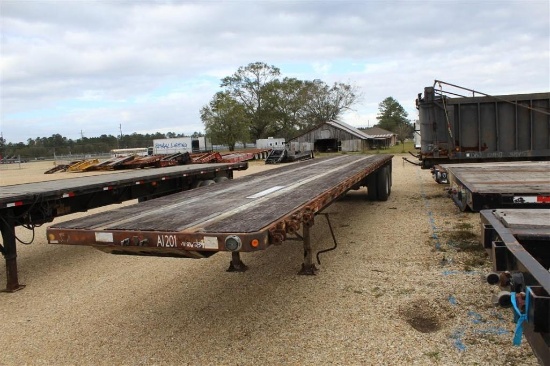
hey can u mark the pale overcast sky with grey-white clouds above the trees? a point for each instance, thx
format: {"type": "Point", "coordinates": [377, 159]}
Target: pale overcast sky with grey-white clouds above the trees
{"type": "Point", "coordinates": [85, 68]}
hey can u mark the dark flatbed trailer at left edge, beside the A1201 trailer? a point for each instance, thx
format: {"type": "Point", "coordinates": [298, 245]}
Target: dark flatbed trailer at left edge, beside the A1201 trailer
{"type": "Point", "coordinates": [33, 204]}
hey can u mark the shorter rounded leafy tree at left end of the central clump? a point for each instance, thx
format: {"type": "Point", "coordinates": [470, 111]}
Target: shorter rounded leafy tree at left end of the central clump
{"type": "Point", "coordinates": [224, 120]}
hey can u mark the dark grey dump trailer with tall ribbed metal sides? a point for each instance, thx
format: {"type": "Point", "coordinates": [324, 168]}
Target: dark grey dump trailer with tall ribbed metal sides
{"type": "Point", "coordinates": [456, 128]}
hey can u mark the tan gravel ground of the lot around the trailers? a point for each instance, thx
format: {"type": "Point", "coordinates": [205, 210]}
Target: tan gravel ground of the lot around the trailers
{"type": "Point", "coordinates": [405, 286]}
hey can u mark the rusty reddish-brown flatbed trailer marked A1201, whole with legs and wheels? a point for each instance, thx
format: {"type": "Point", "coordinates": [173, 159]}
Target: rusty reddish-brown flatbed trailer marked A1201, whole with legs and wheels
{"type": "Point", "coordinates": [244, 215]}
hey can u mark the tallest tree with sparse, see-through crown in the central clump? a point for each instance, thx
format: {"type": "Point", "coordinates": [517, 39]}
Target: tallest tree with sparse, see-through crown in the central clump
{"type": "Point", "coordinates": [250, 87]}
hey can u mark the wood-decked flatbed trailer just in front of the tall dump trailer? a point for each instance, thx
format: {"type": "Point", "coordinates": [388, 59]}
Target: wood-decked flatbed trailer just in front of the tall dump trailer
{"type": "Point", "coordinates": [478, 186]}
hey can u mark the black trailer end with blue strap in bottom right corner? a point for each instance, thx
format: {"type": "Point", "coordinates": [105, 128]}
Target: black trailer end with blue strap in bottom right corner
{"type": "Point", "coordinates": [518, 242]}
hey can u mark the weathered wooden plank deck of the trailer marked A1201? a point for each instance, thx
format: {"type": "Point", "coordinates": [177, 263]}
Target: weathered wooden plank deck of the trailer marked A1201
{"type": "Point", "coordinates": [247, 205]}
